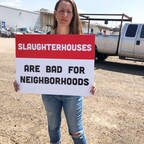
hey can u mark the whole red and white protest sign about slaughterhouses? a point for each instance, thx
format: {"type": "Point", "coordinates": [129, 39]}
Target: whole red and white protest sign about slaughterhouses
{"type": "Point", "coordinates": [55, 64]}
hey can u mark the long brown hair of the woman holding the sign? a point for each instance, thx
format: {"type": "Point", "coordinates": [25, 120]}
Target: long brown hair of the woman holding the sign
{"type": "Point", "coordinates": [75, 25]}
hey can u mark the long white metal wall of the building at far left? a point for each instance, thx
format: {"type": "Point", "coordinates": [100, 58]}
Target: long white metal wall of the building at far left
{"type": "Point", "coordinates": [19, 18]}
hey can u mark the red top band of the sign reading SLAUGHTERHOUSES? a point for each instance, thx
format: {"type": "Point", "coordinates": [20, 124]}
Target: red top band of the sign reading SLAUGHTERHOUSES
{"type": "Point", "coordinates": [55, 46]}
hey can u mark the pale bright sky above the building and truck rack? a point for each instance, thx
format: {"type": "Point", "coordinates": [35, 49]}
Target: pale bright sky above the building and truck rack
{"type": "Point", "coordinates": [132, 8]}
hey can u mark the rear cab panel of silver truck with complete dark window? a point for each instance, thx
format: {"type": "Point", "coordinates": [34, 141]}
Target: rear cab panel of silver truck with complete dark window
{"type": "Point", "coordinates": [128, 39]}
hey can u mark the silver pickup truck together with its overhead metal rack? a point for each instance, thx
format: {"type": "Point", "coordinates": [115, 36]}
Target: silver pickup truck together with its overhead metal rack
{"type": "Point", "coordinates": [127, 44]}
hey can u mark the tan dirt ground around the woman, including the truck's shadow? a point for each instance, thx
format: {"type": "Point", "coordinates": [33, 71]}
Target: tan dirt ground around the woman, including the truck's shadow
{"type": "Point", "coordinates": [115, 115]}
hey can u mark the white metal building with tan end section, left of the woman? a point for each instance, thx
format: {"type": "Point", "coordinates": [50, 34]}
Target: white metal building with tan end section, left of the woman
{"type": "Point", "coordinates": [18, 18]}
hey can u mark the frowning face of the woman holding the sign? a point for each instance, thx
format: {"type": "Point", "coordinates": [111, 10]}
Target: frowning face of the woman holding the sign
{"type": "Point", "coordinates": [64, 13]}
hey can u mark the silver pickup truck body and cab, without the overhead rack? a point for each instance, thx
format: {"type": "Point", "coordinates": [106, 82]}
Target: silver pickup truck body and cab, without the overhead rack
{"type": "Point", "coordinates": [129, 44]}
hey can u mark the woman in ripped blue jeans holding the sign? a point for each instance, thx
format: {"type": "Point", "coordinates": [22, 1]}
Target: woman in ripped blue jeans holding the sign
{"type": "Point", "coordinates": [66, 21]}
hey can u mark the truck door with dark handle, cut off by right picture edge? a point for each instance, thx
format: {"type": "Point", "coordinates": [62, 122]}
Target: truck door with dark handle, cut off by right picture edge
{"type": "Point", "coordinates": [139, 47]}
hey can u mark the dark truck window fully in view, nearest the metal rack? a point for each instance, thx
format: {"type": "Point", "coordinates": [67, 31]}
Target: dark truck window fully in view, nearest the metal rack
{"type": "Point", "coordinates": [131, 30]}
